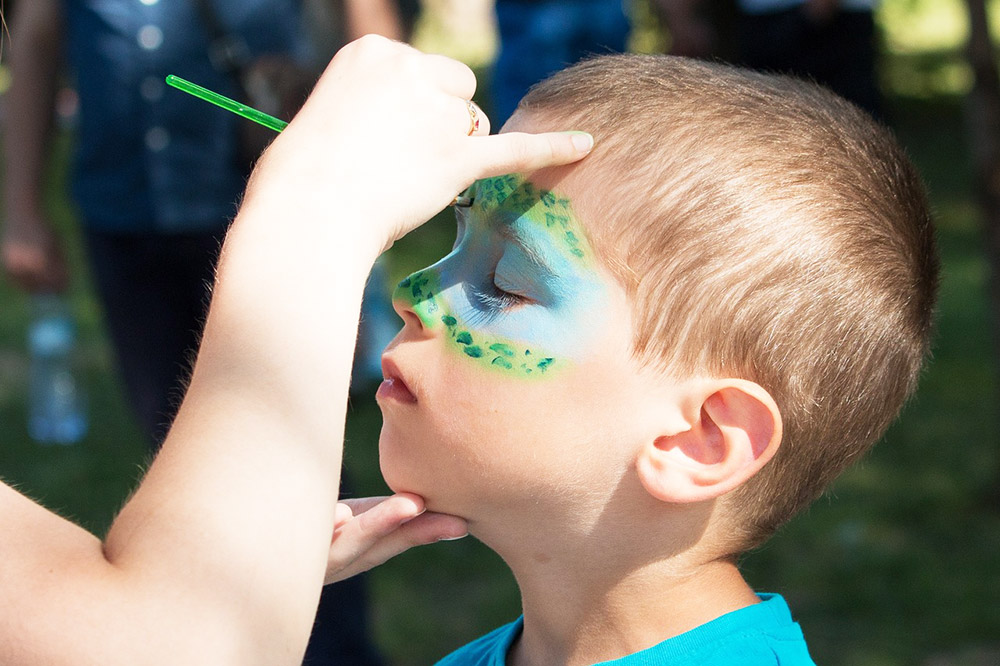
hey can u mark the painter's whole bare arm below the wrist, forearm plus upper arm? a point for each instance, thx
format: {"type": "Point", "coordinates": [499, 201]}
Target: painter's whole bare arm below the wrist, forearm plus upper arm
{"type": "Point", "coordinates": [220, 555]}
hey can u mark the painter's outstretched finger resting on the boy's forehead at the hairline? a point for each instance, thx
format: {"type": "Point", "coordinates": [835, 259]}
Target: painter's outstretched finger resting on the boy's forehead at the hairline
{"type": "Point", "coordinates": [519, 152]}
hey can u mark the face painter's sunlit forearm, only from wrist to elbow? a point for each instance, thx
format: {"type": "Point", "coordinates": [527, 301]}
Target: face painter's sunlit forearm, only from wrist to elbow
{"type": "Point", "coordinates": [243, 494]}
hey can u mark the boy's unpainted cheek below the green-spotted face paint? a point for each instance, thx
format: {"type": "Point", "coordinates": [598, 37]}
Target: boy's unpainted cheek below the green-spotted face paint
{"type": "Point", "coordinates": [477, 438]}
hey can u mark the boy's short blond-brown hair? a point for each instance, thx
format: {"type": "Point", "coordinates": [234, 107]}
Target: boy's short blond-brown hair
{"type": "Point", "coordinates": [765, 229]}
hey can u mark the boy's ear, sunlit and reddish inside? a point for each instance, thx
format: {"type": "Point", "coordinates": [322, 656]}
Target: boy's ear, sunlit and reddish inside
{"type": "Point", "coordinates": [734, 428]}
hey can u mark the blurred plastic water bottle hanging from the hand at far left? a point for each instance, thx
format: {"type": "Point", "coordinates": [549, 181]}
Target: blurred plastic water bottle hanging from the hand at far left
{"type": "Point", "coordinates": [56, 412]}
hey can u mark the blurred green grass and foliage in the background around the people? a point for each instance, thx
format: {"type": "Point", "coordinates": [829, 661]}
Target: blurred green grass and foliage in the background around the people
{"type": "Point", "coordinates": [897, 565]}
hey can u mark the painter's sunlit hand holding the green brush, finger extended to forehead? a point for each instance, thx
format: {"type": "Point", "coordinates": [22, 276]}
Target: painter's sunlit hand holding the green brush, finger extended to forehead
{"type": "Point", "coordinates": [385, 138]}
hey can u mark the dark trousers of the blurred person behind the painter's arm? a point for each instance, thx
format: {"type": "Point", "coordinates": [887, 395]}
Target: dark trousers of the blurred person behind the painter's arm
{"type": "Point", "coordinates": [155, 290]}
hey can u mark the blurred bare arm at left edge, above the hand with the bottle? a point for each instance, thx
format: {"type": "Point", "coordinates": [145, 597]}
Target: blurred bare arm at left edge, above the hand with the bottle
{"type": "Point", "coordinates": [34, 58]}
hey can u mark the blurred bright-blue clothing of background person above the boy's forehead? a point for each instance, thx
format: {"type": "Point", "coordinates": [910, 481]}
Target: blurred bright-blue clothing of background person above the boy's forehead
{"type": "Point", "coordinates": [540, 37]}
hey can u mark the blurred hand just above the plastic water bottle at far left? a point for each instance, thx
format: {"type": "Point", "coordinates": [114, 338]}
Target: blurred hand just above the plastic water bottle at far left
{"type": "Point", "coordinates": [32, 257]}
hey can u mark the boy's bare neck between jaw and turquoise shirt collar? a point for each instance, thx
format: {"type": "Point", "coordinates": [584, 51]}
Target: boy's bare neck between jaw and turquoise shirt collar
{"type": "Point", "coordinates": [605, 589]}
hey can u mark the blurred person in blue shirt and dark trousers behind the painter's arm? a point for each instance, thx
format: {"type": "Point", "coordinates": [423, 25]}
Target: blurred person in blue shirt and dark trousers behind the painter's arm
{"type": "Point", "coordinates": [157, 176]}
